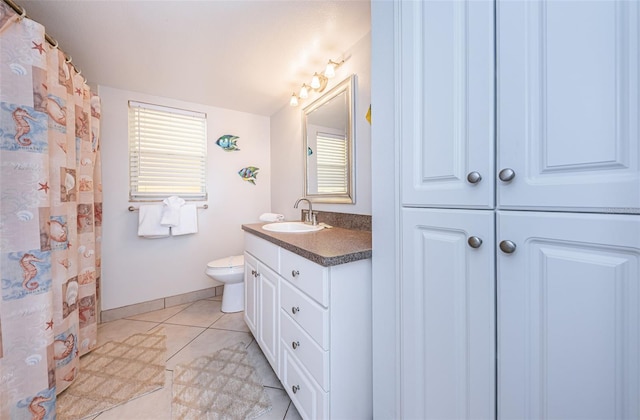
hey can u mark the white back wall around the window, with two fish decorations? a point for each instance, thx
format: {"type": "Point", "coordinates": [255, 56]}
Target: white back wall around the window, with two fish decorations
{"type": "Point", "coordinates": [135, 269]}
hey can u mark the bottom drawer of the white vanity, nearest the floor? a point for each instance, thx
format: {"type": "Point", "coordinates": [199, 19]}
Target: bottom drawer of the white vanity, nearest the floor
{"type": "Point", "coordinates": [310, 400]}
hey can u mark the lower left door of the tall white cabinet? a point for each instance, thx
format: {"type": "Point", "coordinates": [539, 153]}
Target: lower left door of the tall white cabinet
{"type": "Point", "coordinates": [448, 315]}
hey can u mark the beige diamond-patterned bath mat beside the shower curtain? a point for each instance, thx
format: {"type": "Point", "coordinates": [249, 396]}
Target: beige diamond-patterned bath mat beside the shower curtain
{"type": "Point", "coordinates": [113, 374]}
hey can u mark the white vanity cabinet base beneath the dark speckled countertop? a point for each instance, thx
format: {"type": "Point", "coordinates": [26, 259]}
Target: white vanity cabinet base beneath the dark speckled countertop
{"type": "Point", "coordinates": [322, 320]}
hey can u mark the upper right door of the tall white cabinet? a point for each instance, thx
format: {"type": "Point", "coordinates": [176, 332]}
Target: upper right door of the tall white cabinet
{"type": "Point", "coordinates": [568, 92]}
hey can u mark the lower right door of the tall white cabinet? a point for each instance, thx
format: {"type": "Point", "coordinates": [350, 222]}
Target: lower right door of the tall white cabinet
{"type": "Point", "coordinates": [568, 316]}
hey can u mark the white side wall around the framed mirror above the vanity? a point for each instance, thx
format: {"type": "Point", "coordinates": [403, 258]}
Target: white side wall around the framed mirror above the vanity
{"type": "Point", "coordinates": [287, 154]}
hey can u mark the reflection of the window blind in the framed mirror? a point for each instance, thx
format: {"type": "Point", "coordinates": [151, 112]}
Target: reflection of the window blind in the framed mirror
{"type": "Point", "coordinates": [331, 155]}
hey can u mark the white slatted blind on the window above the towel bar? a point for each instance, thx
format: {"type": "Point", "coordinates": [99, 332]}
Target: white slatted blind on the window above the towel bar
{"type": "Point", "coordinates": [167, 153]}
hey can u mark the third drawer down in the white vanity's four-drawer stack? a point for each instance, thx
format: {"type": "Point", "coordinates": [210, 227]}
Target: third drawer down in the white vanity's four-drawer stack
{"type": "Point", "coordinates": [305, 349]}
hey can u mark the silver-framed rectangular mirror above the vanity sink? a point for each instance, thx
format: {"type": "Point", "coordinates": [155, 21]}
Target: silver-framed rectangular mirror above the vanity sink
{"type": "Point", "coordinates": [328, 137]}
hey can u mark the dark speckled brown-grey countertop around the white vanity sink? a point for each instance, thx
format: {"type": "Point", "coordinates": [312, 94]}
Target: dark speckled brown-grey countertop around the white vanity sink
{"type": "Point", "coordinates": [326, 247]}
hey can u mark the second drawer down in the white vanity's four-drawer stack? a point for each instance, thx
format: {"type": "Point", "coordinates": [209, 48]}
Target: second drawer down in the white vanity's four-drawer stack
{"type": "Point", "coordinates": [313, 318]}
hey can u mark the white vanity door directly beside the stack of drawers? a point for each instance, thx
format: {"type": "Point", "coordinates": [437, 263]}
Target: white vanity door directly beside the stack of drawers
{"type": "Point", "coordinates": [268, 313]}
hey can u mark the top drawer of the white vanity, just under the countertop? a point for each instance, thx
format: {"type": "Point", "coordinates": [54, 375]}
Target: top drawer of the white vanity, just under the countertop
{"type": "Point", "coordinates": [311, 278]}
